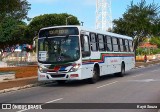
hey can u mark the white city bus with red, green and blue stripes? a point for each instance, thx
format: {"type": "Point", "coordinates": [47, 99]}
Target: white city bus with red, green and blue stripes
{"type": "Point", "coordinates": [76, 53]}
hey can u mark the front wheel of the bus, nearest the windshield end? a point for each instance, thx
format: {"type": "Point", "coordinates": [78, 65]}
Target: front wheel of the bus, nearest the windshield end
{"type": "Point", "coordinates": [95, 76]}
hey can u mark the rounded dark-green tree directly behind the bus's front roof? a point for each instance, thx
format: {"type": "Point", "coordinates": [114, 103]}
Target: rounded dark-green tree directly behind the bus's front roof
{"type": "Point", "coordinates": [48, 20]}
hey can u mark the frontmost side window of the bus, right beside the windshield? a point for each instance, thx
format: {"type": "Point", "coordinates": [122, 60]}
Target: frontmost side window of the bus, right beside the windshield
{"type": "Point", "coordinates": [85, 46]}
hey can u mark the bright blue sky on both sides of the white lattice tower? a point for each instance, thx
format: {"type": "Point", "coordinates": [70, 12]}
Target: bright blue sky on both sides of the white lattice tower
{"type": "Point", "coordinates": [84, 10]}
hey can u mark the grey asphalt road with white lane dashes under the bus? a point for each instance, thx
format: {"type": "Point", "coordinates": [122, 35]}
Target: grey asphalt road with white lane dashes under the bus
{"type": "Point", "coordinates": [138, 86]}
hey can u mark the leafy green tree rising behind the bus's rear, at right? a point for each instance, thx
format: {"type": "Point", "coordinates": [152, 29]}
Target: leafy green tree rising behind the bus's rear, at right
{"type": "Point", "coordinates": [139, 21]}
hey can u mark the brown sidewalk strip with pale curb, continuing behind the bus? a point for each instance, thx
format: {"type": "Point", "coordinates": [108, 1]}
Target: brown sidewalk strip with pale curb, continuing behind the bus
{"type": "Point", "coordinates": [17, 84]}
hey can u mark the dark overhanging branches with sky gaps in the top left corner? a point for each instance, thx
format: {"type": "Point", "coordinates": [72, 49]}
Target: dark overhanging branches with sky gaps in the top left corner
{"type": "Point", "coordinates": [18, 9]}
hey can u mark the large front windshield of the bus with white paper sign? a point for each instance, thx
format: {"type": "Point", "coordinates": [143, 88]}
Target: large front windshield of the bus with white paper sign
{"type": "Point", "coordinates": [58, 49]}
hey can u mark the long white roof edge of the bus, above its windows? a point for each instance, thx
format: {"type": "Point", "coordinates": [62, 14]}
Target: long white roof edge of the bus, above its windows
{"type": "Point", "coordinates": [92, 30]}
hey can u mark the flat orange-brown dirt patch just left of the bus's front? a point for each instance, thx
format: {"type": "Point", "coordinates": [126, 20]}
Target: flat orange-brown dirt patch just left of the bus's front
{"type": "Point", "coordinates": [21, 72]}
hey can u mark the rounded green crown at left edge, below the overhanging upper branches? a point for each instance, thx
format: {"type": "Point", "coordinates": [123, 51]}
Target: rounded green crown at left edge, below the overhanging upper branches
{"type": "Point", "coordinates": [11, 32]}
